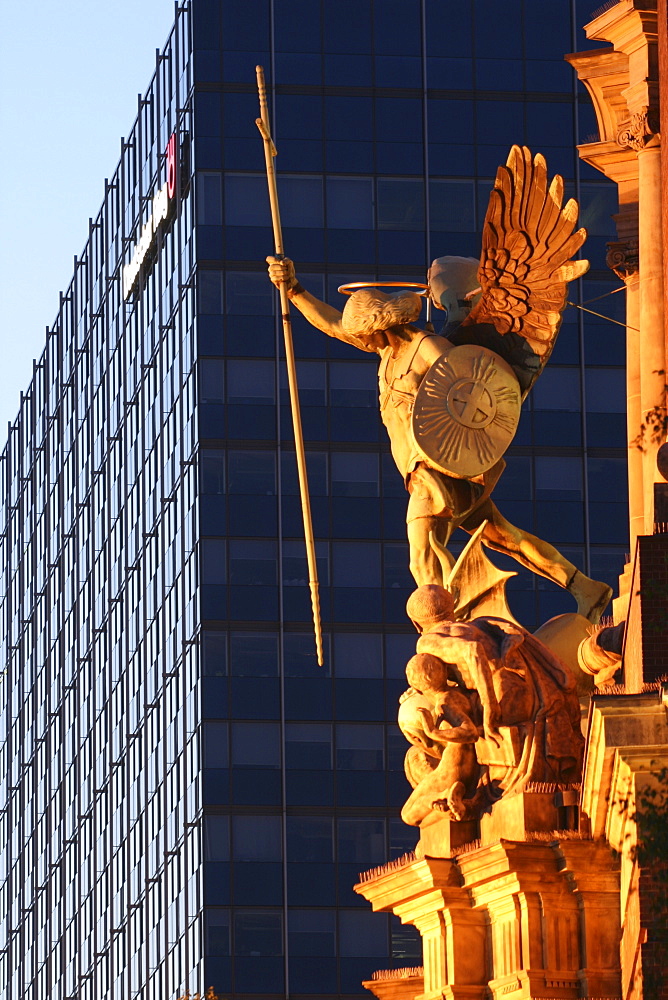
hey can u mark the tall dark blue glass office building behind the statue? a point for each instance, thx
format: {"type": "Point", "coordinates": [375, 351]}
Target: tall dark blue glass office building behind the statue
{"type": "Point", "coordinates": [186, 797]}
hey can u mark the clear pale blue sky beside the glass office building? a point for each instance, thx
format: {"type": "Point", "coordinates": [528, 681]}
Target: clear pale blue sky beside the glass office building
{"type": "Point", "coordinates": [70, 72]}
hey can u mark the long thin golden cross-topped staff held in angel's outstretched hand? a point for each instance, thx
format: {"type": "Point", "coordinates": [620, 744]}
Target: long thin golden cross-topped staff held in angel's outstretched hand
{"type": "Point", "coordinates": [269, 153]}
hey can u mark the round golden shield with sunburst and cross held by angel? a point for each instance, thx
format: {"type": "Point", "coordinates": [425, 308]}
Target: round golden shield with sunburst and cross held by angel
{"type": "Point", "coordinates": [466, 411]}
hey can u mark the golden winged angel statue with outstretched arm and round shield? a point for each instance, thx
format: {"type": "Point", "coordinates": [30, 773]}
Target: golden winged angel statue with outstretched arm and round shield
{"type": "Point", "coordinates": [451, 402]}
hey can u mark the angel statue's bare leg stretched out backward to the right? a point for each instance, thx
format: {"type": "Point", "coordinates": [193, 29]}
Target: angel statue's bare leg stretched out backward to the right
{"type": "Point", "coordinates": [540, 557]}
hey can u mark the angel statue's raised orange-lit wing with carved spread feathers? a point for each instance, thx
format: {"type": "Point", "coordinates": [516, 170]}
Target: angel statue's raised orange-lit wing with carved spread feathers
{"type": "Point", "coordinates": [528, 244]}
